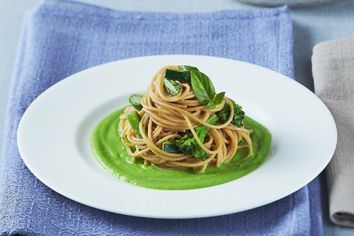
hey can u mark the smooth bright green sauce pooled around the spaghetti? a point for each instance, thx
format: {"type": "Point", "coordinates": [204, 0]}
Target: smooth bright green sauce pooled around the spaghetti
{"type": "Point", "coordinates": [107, 145]}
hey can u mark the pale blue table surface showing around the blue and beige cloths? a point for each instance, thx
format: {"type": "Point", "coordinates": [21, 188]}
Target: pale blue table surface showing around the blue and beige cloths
{"type": "Point", "coordinates": [311, 25]}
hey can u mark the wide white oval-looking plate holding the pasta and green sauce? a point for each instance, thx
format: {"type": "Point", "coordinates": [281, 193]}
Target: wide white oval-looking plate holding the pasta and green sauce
{"type": "Point", "coordinates": [53, 137]}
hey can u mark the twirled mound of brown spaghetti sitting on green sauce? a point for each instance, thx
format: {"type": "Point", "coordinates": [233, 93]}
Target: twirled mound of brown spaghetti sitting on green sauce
{"type": "Point", "coordinates": [179, 120]}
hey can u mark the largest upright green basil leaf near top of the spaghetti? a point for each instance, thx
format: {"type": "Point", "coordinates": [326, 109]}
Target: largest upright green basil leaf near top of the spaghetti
{"type": "Point", "coordinates": [202, 86]}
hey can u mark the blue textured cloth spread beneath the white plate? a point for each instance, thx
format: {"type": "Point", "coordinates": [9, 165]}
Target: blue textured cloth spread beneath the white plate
{"type": "Point", "coordinates": [60, 38]}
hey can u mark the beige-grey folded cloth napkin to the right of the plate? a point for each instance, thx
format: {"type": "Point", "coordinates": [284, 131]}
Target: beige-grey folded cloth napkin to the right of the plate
{"type": "Point", "coordinates": [333, 72]}
